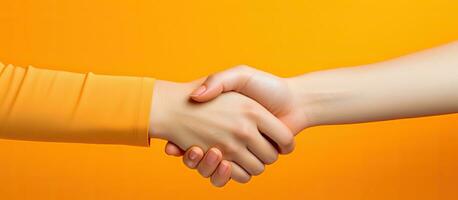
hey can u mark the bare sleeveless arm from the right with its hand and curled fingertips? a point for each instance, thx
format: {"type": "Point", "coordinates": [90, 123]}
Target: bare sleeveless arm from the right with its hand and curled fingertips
{"type": "Point", "coordinates": [421, 84]}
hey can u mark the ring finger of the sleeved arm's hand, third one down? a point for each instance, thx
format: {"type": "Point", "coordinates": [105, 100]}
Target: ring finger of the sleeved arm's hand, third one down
{"type": "Point", "coordinates": [249, 162]}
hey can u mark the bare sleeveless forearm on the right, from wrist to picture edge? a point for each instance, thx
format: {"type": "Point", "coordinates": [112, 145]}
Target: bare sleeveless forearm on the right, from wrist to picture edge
{"type": "Point", "coordinates": [420, 84]}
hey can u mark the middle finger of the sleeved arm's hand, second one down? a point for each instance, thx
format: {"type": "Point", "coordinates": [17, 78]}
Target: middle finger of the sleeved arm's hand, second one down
{"type": "Point", "coordinates": [263, 149]}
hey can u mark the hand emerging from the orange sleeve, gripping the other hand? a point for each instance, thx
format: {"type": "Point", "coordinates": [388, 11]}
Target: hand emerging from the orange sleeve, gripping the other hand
{"type": "Point", "coordinates": [232, 123]}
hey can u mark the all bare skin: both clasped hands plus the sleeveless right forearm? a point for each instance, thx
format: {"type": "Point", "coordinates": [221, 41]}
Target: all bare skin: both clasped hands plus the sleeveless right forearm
{"type": "Point", "coordinates": [236, 121]}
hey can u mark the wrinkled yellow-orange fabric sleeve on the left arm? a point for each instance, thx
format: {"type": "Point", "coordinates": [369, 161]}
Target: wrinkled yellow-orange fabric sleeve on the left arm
{"type": "Point", "coordinates": [49, 105]}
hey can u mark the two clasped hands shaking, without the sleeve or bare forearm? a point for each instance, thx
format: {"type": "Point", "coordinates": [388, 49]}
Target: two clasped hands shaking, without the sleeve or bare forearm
{"type": "Point", "coordinates": [248, 118]}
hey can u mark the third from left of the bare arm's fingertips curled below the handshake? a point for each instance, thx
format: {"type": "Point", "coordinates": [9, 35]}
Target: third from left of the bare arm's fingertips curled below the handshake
{"type": "Point", "coordinates": [210, 161]}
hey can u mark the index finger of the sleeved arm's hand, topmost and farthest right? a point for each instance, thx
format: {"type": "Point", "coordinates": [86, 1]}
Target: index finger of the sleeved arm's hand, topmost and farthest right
{"type": "Point", "coordinates": [275, 130]}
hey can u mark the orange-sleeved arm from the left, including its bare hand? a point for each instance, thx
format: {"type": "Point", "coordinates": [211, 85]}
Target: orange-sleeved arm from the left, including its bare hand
{"type": "Point", "coordinates": [47, 105]}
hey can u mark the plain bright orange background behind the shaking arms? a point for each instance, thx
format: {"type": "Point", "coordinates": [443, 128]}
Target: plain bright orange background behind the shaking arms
{"type": "Point", "coordinates": [184, 40]}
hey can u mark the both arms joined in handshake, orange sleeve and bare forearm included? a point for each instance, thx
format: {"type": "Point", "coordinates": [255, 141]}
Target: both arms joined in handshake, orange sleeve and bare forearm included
{"type": "Point", "coordinates": [231, 124]}
